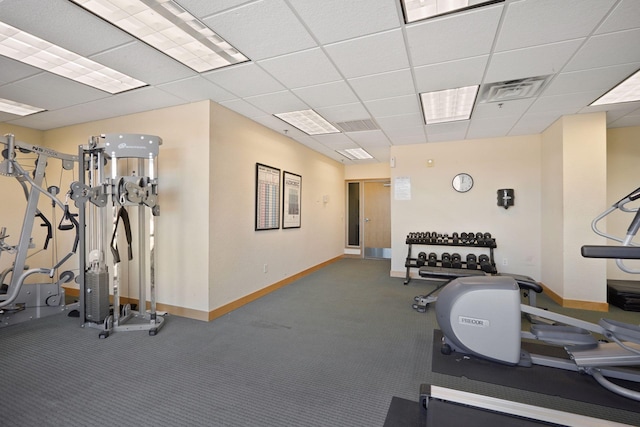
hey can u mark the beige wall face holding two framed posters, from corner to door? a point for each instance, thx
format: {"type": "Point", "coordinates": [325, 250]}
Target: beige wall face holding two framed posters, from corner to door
{"type": "Point", "coordinates": [237, 252]}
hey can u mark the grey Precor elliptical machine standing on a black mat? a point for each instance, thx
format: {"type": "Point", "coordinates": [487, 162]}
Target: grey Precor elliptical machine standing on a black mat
{"type": "Point", "coordinates": [481, 316]}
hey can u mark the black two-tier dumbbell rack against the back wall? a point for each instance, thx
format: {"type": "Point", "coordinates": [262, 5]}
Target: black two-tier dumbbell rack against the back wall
{"type": "Point", "coordinates": [472, 240]}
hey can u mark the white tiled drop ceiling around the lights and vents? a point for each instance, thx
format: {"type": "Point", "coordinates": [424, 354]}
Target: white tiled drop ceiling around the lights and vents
{"type": "Point", "coordinates": [350, 61]}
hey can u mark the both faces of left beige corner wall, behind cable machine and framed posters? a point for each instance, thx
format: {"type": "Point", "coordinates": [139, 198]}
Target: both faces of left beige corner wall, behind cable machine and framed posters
{"type": "Point", "coordinates": [209, 254]}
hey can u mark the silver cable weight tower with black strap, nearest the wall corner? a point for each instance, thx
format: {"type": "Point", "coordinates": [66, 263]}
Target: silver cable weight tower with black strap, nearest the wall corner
{"type": "Point", "coordinates": [103, 202]}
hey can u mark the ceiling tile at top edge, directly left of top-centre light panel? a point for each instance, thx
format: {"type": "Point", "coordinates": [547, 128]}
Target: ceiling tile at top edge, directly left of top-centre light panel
{"type": "Point", "coordinates": [335, 20]}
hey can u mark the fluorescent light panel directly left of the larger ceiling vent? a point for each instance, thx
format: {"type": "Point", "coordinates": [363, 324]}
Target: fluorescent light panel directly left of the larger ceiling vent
{"type": "Point", "coordinates": [448, 105]}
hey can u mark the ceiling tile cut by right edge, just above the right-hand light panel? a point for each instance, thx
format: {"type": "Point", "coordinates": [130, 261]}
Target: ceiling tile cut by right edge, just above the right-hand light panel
{"type": "Point", "coordinates": [598, 52]}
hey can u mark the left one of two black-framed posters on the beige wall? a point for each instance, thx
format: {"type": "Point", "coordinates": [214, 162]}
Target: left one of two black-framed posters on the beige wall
{"type": "Point", "coordinates": [267, 197]}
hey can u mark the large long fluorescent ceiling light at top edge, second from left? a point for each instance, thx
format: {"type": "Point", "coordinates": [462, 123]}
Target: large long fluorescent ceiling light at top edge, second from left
{"type": "Point", "coordinates": [168, 27]}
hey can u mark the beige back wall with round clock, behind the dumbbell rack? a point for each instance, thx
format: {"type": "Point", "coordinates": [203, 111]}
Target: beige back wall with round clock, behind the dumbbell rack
{"type": "Point", "coordinates": [512, 162]}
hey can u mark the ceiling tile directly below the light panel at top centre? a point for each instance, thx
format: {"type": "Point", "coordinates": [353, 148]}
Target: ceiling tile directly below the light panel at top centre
{"type": "Point", "coordinates": [454, 36]}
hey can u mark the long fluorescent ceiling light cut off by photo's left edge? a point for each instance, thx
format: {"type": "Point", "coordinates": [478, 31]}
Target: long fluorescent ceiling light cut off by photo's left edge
{"type": "Point", "coordinates": [29, 49]}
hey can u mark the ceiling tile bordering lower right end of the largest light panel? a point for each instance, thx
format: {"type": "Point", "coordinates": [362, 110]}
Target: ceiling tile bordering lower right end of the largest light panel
{"type": "Point", "coordinates": [244, 80]}
